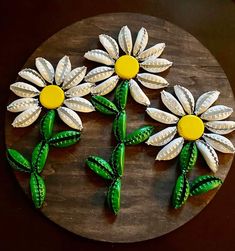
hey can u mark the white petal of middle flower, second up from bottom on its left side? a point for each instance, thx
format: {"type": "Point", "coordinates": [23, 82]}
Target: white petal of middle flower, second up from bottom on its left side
{"type": "Point", "coordinates": [99, 74]}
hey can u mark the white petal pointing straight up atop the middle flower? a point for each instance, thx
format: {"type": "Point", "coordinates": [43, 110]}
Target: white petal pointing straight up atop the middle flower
{"type": "Point", "coordinates": [125, 39]}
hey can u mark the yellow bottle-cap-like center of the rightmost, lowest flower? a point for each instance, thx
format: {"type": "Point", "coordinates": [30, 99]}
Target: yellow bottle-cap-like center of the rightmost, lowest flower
{"type": "Point", "coordinates": [190, 127]}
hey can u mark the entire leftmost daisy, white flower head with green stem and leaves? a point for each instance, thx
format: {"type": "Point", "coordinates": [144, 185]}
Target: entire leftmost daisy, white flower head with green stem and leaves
{"type": "Point", "coordinates": [62, 92]}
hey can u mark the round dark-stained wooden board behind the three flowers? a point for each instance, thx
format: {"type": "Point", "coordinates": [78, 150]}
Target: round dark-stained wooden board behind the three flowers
{"type": "Point", "coordinates": [75, 196]}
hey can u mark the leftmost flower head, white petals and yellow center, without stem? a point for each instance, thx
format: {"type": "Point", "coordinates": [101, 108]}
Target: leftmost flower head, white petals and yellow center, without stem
{"type": "Point", "coordinates": [61, 90]}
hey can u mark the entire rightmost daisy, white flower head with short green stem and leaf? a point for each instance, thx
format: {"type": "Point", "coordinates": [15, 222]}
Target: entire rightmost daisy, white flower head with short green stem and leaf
{"type": "Point", "coordinates": [189, 119]}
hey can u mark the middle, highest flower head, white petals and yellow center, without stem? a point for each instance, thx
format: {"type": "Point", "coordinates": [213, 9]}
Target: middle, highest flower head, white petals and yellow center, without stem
{"type": "Point", "coordinates": [127, 67]}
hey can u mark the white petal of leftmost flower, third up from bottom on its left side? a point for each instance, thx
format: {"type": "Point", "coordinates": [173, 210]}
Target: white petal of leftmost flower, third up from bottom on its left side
{"type": "Point", "coordinates": [24, 90]}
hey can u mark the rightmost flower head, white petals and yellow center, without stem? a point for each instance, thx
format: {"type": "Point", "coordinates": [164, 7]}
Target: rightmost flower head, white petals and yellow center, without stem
{"type": "Point", "coordinates": [190, 125]}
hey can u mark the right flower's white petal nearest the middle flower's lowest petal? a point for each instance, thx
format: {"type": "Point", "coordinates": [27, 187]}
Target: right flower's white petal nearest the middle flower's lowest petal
{"type": "Point", "coordinates": [161, 116]}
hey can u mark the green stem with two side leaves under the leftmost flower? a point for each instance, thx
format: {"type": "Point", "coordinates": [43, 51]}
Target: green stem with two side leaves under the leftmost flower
{"type": "Point", "coordinates": [40, 154]}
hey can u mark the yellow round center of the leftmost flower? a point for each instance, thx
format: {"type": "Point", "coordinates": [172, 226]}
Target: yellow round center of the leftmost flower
{"type": "Point", "coordinates": [51, 97]}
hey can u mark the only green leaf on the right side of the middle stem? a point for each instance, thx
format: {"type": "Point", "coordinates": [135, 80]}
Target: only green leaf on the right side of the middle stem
{"type": "Point", "coordinates": [140, 135]}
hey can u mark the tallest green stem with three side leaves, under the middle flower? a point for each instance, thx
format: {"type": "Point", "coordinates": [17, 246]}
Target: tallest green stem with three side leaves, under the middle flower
{"type": "Point", "coordinates": [113, 169]}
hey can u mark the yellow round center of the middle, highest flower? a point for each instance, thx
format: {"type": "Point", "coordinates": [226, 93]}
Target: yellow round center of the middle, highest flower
{"type": "Point", "coordinates": [126, 67]}
